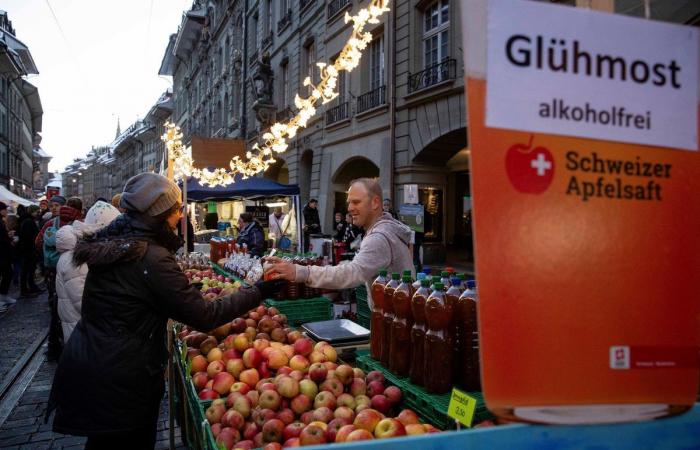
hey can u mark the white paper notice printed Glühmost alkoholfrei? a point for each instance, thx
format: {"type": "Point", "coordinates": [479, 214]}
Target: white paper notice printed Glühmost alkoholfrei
{"type": "Point", "coordinates": [584, 73]}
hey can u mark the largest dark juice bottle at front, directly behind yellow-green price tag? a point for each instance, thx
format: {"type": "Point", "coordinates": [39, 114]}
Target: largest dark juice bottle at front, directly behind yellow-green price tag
{"type": "Point", "coordinates": [438, 345]}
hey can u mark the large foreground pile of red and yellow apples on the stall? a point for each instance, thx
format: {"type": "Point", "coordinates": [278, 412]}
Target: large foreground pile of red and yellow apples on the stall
{"type": "Point", "coordinates": [277, 389]}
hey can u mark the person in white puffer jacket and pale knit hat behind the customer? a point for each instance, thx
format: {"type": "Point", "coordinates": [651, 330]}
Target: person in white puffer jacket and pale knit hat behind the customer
{"type": "Point", "coordinates": [70, 280]}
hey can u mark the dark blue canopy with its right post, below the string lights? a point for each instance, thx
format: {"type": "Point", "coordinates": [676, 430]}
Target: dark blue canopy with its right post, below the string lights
{"type": "Point", "coordinates": [249, 188]}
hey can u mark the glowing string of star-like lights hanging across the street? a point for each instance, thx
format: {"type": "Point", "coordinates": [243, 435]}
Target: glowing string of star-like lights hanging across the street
{"type": "Point", "coordinates": [276, 140]}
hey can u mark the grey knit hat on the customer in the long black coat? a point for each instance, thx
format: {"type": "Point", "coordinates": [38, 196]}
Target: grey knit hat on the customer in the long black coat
{"type": "Point", "coordinates": [149, 193]}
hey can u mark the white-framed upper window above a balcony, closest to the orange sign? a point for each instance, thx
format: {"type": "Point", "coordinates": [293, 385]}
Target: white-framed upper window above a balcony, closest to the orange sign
{"type": "Point", "coordinates": [436, 26]}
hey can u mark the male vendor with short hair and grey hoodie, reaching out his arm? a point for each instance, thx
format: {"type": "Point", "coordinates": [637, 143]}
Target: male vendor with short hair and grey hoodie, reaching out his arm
{"type": "Point", "coordinates": [385, 245]}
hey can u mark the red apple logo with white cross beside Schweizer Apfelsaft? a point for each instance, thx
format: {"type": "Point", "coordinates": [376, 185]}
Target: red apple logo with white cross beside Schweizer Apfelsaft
{"type": "Point", "coordinates": [530, 170]}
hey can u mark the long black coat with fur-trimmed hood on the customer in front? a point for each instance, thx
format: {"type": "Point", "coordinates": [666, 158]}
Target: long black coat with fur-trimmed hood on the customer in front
{"type": "Point", "coordinates": [110, 378]}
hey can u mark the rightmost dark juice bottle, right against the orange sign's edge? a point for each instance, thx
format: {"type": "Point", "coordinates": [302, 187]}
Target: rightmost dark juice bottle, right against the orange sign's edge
{"type": "Point", "coordinates": [468, 365]}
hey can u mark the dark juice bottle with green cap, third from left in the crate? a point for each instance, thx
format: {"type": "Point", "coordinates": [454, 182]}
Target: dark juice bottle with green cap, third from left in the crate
{"type": "Point", "coordinates": [400, 352]}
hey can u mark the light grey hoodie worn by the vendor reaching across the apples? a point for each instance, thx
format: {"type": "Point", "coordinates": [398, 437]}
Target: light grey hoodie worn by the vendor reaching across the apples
{"type": "Point", "coordinates": [385, 246]}
